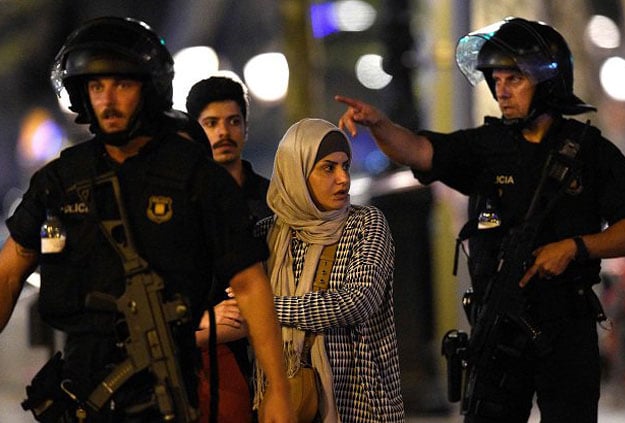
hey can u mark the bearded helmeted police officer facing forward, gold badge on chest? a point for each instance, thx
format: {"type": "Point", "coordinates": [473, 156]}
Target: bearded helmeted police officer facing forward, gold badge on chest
{"type": "Point", "coordinates": [186, 216]}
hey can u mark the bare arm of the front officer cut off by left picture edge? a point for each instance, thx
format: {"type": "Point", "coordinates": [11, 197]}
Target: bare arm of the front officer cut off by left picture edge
{"type": "Point", "coordinates": [16, 263]}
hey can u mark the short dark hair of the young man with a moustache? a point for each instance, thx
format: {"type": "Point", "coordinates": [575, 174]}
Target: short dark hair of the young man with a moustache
{"type": "Point", "coordinates": [216, 88]}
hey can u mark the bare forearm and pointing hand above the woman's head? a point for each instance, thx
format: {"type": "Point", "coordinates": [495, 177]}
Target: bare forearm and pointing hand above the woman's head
{"type": "Point", "coordinates": [398, 143]}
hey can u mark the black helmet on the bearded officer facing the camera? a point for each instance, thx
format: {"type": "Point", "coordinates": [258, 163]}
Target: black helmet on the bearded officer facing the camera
{"type": "Point", "coordinates": [114, 46]}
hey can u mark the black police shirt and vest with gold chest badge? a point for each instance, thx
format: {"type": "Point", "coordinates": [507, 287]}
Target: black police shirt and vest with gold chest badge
{"type": "Point", "coordinates": [189, 222]}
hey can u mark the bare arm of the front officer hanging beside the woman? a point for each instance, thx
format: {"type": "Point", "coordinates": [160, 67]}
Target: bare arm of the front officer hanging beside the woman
{"type": "Point", "coordinates": [253, 292]}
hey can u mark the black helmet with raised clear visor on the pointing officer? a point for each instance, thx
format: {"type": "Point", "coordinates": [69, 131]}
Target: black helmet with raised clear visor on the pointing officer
{"type": "Point", "coordinates": [532, 47]}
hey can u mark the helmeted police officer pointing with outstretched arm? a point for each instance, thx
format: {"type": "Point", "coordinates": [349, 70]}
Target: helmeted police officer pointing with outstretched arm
{"type": "Point", "coordinates": [529, 70]}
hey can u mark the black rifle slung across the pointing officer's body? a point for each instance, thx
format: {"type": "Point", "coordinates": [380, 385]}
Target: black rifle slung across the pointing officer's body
{"type": "Point", "coordinates": [503, 302]}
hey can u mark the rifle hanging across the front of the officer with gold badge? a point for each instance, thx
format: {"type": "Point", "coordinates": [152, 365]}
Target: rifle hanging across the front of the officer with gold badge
{"type": "Point", "coordinates": [149, 344]}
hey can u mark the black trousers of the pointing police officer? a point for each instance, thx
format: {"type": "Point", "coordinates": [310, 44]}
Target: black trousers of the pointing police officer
{"type": "Point", "coordinates": [566, 380]}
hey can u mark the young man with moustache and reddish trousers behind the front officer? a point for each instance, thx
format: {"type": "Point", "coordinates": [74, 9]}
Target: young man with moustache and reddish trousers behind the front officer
{"type": "Point", "coordinates": [220, 105]}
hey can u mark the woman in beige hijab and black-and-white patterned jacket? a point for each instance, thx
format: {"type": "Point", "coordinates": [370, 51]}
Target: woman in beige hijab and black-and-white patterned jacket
{"type": "Point", "coordinates": [355, 348]}
